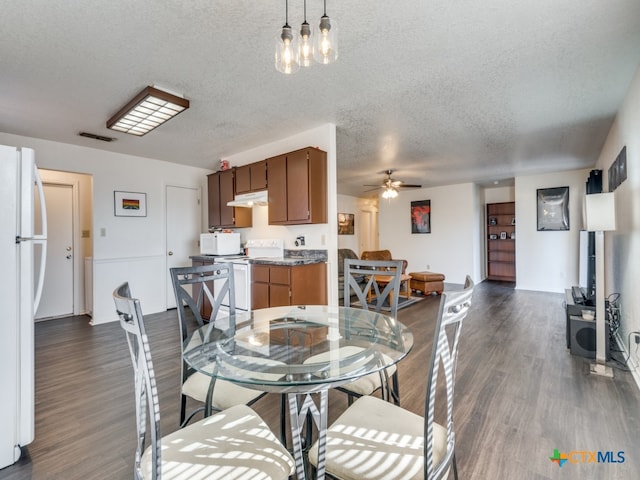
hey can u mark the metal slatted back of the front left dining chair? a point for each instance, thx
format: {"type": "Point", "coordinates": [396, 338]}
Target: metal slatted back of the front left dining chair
{"type": "Point", "coordinates": [146, 391]}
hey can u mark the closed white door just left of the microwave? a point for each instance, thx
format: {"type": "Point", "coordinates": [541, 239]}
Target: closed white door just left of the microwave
{"type": "Point", "coordinates": [183, 226]}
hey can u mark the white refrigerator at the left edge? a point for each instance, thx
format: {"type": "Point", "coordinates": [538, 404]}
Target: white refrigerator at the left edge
{"type": "Point", "coordinates": [20, 289]}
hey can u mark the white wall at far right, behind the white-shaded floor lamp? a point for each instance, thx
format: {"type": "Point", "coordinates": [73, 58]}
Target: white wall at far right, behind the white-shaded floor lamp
{"type": "Point", "coordinates": [622, 247]}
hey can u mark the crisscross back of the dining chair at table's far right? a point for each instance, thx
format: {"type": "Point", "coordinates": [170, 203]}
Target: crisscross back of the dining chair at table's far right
{"type": "Point", "coordinates": [361, 277]}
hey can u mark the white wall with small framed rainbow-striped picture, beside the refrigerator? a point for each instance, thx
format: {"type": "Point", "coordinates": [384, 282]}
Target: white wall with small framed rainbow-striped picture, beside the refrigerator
{"type": "Point", "coordinates": [133, 248]}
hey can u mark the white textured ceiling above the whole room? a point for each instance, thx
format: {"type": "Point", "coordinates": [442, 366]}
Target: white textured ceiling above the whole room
{"type": "Point", "coordinates": [442, 92]}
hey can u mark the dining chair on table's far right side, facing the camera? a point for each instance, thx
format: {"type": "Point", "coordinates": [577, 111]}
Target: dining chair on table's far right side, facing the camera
{"type": "Point", "coordinates": [361, 280]}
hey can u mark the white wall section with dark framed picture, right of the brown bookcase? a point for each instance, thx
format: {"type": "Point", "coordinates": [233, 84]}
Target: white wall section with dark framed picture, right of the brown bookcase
{"type": "Point", "coordinates": [548, 261]}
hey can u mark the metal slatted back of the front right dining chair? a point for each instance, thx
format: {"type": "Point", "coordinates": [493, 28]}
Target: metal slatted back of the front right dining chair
{"type": "Point", "coordinates": [454, 306]}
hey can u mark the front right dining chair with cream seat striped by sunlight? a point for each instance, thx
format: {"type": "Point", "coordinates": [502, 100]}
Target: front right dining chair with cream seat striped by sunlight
{"type": "Point", "coordinates": [377, 440]}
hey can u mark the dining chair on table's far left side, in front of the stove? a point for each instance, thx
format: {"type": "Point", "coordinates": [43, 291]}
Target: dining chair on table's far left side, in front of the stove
{"type": "Point", "coordinates": [195, 293]}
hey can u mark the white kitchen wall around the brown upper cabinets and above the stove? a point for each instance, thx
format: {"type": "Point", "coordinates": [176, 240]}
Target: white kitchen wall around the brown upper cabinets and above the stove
{"type": "Point", "coordinates": [319, 236]}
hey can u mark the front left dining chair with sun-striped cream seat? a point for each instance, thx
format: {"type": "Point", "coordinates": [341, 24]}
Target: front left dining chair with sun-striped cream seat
{"type": "Point", "coordinates": [235, 443]}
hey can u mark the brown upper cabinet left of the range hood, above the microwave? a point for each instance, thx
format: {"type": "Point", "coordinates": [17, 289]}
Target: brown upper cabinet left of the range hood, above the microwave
{"type": "Point", "coordinates": [221, 187]}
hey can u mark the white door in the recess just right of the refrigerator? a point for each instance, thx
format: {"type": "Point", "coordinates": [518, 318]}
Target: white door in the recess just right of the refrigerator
{"type": "Point", "coordinates": [57, 293]}
